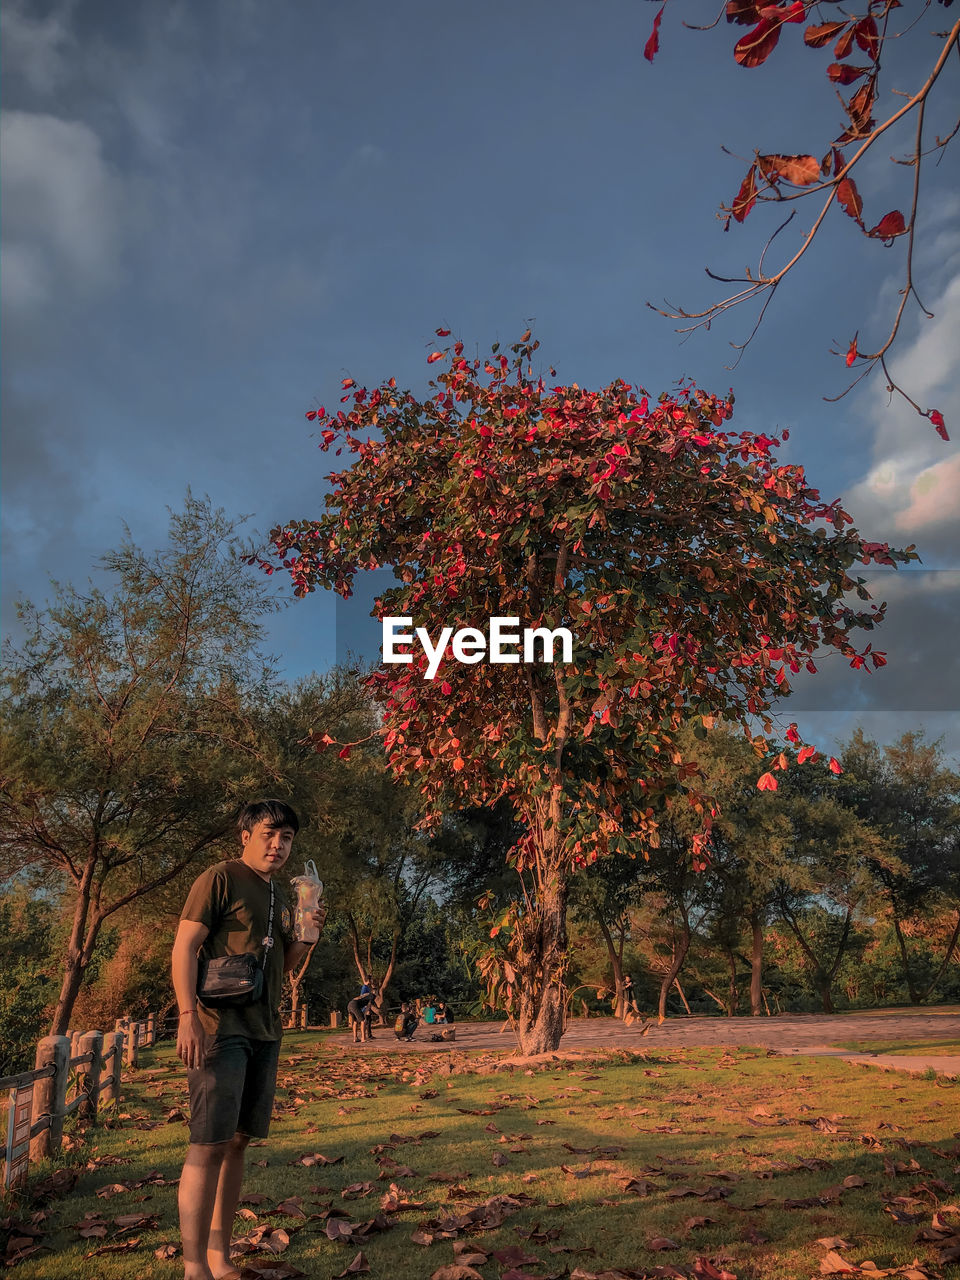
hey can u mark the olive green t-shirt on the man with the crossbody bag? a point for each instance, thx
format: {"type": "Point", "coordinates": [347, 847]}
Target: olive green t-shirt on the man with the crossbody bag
{"type": "Point", "coordinates": [235, 904]}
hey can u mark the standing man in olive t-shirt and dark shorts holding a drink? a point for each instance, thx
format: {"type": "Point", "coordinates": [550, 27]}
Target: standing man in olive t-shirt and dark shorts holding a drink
{"type": "Point", "coordinates": [231, 1053]}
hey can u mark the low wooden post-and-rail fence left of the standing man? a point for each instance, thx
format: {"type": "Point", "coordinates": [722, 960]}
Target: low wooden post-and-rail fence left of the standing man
{"type": "Point", "coordinates": [79, 1072]}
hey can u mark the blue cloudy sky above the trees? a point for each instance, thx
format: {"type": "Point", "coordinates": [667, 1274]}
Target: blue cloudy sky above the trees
{"type": "Point", "coordinates": [216, 212]}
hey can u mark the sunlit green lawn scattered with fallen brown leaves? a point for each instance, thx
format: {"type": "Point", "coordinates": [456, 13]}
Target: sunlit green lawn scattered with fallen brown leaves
{"type": "Point", "coordinates": [737, 1159]}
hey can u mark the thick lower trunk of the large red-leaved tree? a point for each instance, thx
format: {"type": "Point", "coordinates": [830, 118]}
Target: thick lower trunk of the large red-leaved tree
{"type": "Point", "coordinates": [542, 968]}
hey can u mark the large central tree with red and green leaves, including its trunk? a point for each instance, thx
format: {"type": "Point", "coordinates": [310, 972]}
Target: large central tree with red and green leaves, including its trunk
{"type": "Point", "coordinates": [694, 572]}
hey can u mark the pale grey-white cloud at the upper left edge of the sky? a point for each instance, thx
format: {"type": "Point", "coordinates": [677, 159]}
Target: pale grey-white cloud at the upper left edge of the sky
{"type": "Point", "coordinates": [62, 208]}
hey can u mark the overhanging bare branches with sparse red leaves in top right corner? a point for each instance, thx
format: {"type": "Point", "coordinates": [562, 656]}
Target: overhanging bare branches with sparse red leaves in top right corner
{"type": "Point", "coordinates": [858, 38]}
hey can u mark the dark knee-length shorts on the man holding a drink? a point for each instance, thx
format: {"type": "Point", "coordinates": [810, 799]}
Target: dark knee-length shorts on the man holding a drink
{"type": "Point", "coordinates": [234, 1092]}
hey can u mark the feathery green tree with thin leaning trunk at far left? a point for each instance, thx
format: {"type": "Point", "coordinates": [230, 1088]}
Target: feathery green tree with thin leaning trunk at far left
{"type": "Point", "coordinates": [129, 730]}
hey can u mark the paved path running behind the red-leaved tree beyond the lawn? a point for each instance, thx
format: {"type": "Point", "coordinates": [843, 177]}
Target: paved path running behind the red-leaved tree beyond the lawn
{"type": "Point", "coordinates": [788, 1034]}
